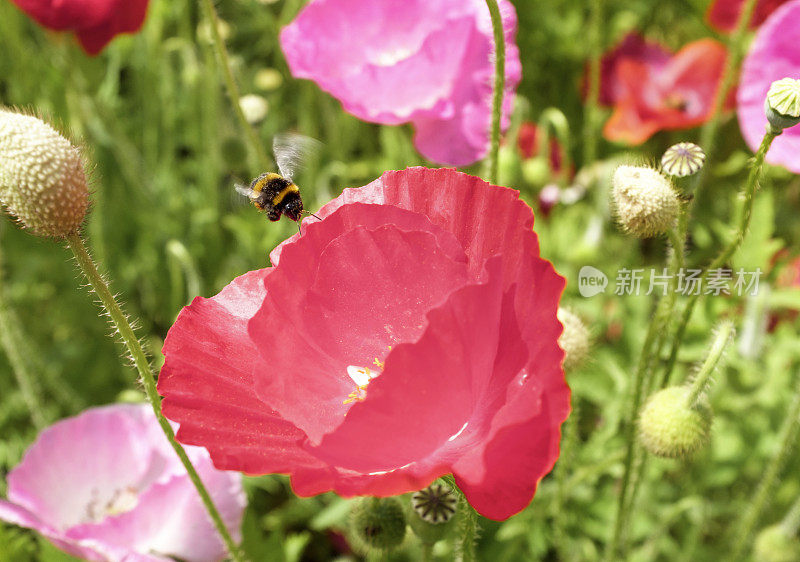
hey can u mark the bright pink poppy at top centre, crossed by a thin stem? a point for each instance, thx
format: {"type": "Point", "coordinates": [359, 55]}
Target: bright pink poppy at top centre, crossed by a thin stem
{"type": "Point", "coordinates": [420, 61]}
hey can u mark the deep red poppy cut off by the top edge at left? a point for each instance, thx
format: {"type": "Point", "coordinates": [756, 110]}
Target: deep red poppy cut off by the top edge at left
{"type": "Point", "coordinates": [95, 22]}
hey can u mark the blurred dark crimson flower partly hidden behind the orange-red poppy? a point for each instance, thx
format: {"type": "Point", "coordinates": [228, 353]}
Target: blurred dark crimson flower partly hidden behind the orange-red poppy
{"type": "Point", "coordinates": [632, 47]}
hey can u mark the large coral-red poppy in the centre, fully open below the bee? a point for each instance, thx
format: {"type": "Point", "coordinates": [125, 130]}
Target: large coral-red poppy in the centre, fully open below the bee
{"type": "Point", "coordinates": [410, 333]}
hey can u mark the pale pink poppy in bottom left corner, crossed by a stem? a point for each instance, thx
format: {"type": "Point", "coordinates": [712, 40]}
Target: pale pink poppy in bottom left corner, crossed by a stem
{"type": "Point", "coordinates": [106, 486]}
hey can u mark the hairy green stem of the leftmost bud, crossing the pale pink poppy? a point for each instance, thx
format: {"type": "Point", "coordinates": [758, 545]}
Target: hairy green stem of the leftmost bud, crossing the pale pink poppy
{"type": "Point", "coordinates": [133, 346]}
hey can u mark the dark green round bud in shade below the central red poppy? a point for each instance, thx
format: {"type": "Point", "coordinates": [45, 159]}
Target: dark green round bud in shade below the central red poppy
{"type": "Point", "coordinates": [377, 523]}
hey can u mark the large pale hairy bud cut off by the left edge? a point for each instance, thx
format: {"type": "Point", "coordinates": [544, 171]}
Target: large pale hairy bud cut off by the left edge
{"type": "Point", "coordinates": [42, 181]}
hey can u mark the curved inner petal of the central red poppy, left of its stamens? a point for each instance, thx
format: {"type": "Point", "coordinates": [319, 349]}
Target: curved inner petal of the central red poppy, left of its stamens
{"type": "Point", "coordinates": [342, 301]}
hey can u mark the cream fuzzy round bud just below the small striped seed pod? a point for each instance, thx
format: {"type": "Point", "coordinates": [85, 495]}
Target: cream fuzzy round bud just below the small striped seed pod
{"type": "Point", "coordinates": [645, 202]}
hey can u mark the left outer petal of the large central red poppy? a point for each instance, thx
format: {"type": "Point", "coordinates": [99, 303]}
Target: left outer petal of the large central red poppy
{"type": "Point", "coordinates": [208, 388]}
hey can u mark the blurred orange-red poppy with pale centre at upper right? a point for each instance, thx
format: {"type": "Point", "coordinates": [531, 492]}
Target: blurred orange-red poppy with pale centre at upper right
{"type": "Point", "coordinates": [679, 95]}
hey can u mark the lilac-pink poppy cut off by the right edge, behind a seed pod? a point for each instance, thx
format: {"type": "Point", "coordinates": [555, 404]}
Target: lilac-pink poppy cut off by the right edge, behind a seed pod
{"type": "Point", "coordinates": [774, 54]}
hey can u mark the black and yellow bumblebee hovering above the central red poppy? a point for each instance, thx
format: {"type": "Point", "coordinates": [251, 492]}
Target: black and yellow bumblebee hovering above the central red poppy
{"type": "Point", "coordinates": [275, 193]}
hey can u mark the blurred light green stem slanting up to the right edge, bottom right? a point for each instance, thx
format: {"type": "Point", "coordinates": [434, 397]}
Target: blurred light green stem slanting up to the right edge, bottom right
{"type": "Point", "coordinates": [787, 440]}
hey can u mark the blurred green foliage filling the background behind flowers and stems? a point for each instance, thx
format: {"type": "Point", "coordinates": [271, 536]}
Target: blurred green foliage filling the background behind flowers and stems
{"type": "Point", "coordinates": [166, 224]}
